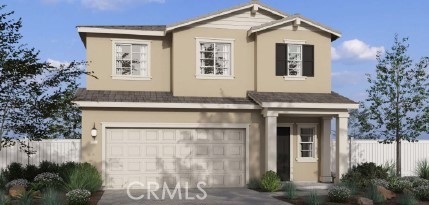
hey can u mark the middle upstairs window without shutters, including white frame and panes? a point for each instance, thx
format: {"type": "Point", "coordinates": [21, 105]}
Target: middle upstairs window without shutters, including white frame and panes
{"type": "Point", "coordinates": [214, 58]}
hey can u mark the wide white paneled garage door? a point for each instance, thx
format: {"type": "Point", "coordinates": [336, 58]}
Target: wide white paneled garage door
{"type": "Point", "coordinates": [213, 156]}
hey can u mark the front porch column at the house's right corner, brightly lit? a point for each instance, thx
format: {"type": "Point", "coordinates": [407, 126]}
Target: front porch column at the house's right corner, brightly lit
{"type": "Point", "coordinates": [342, 152]}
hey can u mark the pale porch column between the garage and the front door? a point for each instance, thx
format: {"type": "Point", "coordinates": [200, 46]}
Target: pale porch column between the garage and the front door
{"type": "Point", "coordinates": [270, 140]}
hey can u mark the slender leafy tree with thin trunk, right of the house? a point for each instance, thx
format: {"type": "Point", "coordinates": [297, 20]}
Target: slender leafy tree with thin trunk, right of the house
{"type": "Point", "coordinates": [398, 98]}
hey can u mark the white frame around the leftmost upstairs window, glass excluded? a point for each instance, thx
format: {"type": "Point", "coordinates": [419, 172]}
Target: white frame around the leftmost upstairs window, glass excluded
{"type": "Point", "coordinates": [131, 41]}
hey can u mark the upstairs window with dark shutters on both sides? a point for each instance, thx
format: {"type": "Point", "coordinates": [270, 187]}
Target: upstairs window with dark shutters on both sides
{"type": "Point", "coordinates": [294, 60]}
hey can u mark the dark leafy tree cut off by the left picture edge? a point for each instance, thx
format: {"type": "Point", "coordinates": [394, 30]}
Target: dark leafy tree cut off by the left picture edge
{"type": "Point", "coordinates": [35, 97]}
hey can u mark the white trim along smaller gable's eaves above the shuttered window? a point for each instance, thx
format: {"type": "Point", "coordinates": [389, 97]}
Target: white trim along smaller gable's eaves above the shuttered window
{"type": "Point", "coordinates": [295, 18]}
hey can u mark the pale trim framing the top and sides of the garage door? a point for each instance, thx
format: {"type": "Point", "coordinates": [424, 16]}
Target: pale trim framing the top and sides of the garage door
{"type": "Point", "coordinates": [107, 125]}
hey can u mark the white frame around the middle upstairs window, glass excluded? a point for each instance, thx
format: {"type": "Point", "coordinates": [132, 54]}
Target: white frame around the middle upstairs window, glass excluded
{"type": "Point", "coordinates": [198, 74]}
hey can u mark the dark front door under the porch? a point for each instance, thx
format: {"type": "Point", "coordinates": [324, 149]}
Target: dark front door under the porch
{"type": "Point", "coordinates": [283, 153]}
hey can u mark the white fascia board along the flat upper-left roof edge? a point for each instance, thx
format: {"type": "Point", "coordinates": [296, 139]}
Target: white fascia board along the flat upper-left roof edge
{"type": "Point", "coordinates": [83, 29]}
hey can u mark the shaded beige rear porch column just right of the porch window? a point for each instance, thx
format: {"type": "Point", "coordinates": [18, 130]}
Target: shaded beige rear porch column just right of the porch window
{"type": "Point", "coordinates": [325, 172]}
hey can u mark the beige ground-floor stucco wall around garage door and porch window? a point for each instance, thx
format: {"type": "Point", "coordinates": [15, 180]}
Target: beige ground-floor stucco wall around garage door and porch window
{"type": "Point", "coordinates": [93, 152]}
